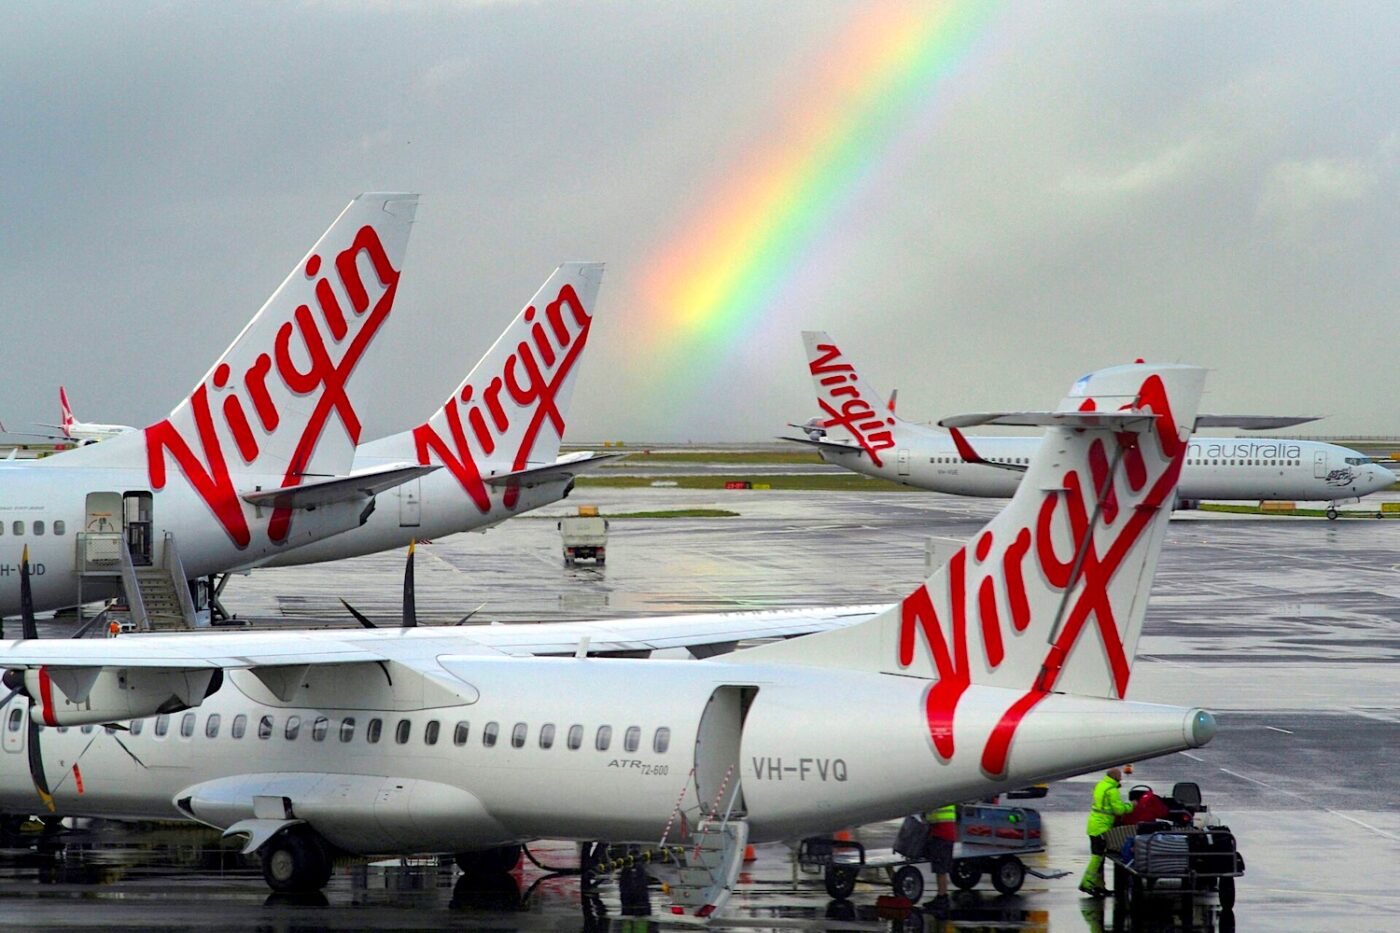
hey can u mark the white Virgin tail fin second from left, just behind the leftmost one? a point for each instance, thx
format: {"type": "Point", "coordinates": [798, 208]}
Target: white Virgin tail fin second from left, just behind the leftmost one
{"type": "Point", "coordinates": [509, 414]}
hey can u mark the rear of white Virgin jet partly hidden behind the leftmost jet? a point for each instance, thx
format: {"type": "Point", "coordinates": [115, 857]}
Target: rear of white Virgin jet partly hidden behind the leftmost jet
{"type": "Point", "coordinates": [496, 438]}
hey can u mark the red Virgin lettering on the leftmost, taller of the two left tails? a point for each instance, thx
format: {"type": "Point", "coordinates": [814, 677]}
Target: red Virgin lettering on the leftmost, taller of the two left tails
{"type": "Point", "coordinates": [306, 364]}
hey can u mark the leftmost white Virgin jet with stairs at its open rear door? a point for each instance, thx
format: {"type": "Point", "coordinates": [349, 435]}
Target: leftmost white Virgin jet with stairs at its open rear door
{"type": "Point", "coordinates": [255, 462]}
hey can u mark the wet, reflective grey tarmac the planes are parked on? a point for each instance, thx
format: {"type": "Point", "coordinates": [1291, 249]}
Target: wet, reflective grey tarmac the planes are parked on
{"type": "Point", "coordinates": [1289, 628]}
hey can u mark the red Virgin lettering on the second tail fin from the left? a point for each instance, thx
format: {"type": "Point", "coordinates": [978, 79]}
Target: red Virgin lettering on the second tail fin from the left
{"type": "Point", "coordinates": [531, 379]}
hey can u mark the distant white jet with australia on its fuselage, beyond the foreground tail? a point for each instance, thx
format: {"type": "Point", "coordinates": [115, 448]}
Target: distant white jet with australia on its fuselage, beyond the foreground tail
{"type": "Point", "coordinates": [857, 432]}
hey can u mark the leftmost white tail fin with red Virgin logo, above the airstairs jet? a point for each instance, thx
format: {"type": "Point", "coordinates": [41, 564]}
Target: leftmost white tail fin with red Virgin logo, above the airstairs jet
{"type": "Point", "coordinates": [278, 404]}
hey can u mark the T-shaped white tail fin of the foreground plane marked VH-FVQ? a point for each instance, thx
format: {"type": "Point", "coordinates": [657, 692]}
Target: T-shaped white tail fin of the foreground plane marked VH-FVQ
{"type": "Point", "coordinates": [1052, 593]}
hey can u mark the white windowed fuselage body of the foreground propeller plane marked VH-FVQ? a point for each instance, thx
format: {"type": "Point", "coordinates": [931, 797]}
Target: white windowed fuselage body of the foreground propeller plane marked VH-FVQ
{"type": "Point", "coordinates": [762, 738]}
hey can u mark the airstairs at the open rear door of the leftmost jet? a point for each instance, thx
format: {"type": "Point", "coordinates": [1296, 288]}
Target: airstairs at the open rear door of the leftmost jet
{"type": "Point", "coordinates": [157, 593]}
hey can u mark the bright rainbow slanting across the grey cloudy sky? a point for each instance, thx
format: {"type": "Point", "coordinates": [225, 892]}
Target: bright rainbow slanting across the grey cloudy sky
{"type": "Point", "coordinates": [722, 274]}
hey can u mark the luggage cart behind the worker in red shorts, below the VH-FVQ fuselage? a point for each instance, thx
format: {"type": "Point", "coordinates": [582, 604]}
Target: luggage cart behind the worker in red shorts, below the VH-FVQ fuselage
{"type": "Point", "coordinates": [992, 841]}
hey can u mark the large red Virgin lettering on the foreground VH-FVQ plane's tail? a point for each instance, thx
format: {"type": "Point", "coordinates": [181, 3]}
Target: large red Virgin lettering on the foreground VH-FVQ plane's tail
{"type": "Point", "coordinates": [1091, 607]}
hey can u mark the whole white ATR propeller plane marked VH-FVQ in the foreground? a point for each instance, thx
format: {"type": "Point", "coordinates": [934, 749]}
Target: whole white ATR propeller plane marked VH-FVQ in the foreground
{"type": "Point", "coordinates": [1007, 668]}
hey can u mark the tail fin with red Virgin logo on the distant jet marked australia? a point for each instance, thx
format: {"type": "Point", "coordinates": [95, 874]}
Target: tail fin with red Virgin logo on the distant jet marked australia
{"type": "Point", "coordinates": [852, 411]}
